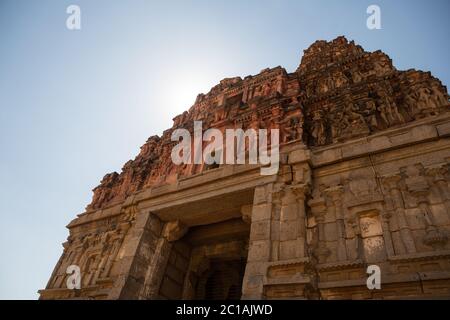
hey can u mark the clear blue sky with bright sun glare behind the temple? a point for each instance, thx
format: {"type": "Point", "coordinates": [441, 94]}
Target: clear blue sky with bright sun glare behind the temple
{"type": "Point", "coordinates": [75, 105]}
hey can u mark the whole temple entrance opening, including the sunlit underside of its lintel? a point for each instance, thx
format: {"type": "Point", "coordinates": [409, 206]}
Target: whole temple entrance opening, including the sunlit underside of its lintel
{"type": "Point", "coordinates": [209, 260]}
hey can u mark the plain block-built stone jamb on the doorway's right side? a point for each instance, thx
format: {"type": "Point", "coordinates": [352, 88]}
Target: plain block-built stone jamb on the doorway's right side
{"type": "Point", "coordinates": [259, 251]}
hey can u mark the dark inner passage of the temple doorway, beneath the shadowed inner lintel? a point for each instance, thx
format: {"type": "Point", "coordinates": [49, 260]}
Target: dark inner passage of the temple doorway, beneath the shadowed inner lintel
{"type": "Point", "coordinates": [217, 260]}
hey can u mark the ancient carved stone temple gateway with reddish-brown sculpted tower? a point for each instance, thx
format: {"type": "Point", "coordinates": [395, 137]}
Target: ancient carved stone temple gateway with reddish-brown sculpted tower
{"type": "Point", "coordinates": [364, 180]}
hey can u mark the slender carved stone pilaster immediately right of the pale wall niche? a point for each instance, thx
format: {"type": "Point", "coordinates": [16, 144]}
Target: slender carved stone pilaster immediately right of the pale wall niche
{"type": "Point", "coordinates": [391, 183]}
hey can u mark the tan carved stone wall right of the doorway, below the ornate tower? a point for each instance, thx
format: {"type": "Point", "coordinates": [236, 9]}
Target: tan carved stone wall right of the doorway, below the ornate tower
{"type": "Point", "coordinates": [368, 201]}
